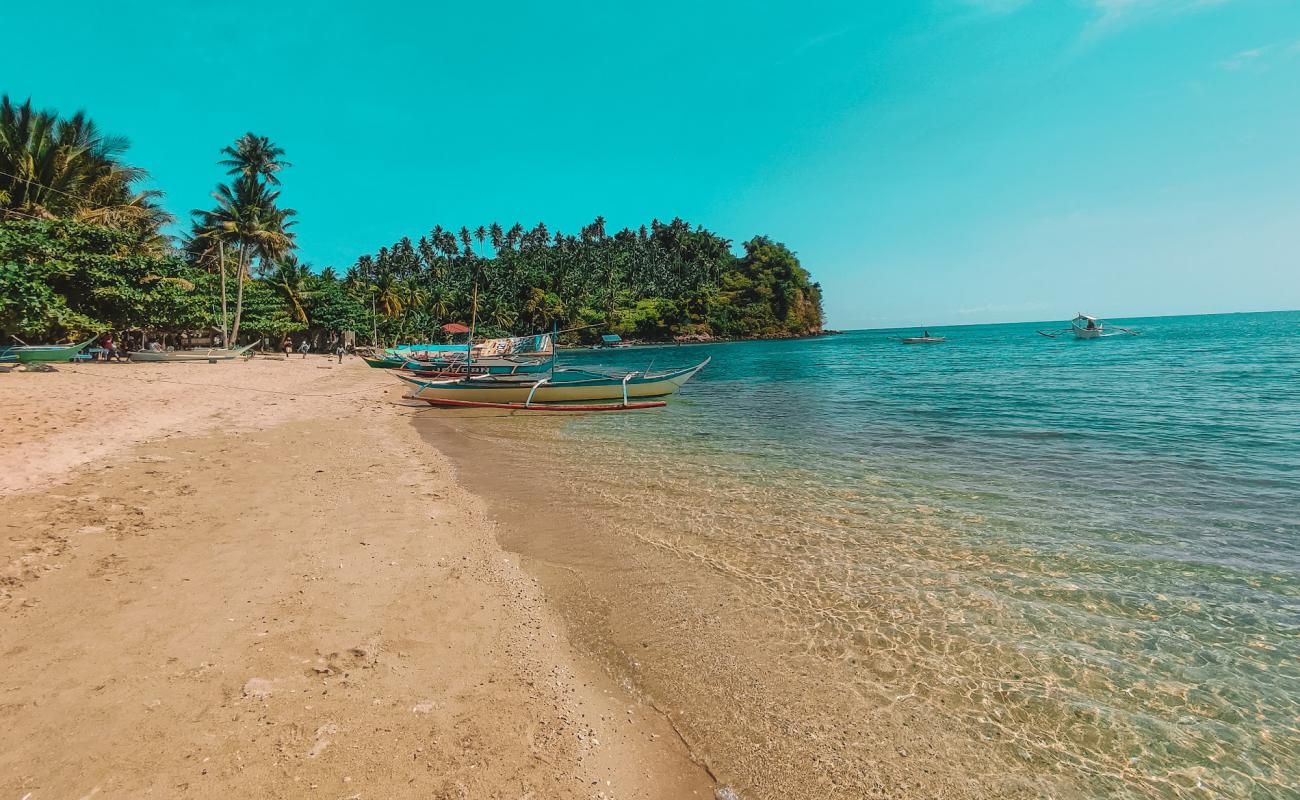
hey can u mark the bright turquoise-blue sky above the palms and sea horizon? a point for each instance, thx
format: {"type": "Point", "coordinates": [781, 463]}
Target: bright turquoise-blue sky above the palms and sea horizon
{"type": "Point", "coordinates": [933, 162]}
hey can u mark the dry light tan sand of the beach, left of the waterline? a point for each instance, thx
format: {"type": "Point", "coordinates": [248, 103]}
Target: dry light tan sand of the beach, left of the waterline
{"type": "Point", "coordinates": [254, 581]}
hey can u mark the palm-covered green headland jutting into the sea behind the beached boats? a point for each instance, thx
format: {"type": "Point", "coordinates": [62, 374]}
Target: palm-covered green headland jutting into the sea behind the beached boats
{"type": "Point", "coordinates": [651, 284]}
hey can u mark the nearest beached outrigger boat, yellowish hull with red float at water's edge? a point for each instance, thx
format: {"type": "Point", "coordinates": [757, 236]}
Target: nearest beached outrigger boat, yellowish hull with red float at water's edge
{"type": "Point", "coordinates": [565, 390]}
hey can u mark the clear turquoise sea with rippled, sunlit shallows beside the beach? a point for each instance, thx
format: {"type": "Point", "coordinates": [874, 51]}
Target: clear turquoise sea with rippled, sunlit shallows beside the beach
{"type": "Point", "coordinates": [1087, 553]}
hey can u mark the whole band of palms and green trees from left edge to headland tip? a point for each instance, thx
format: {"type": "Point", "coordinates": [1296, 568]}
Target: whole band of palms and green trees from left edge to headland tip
{"type": "Point", "coordinates": [84, 250]}
